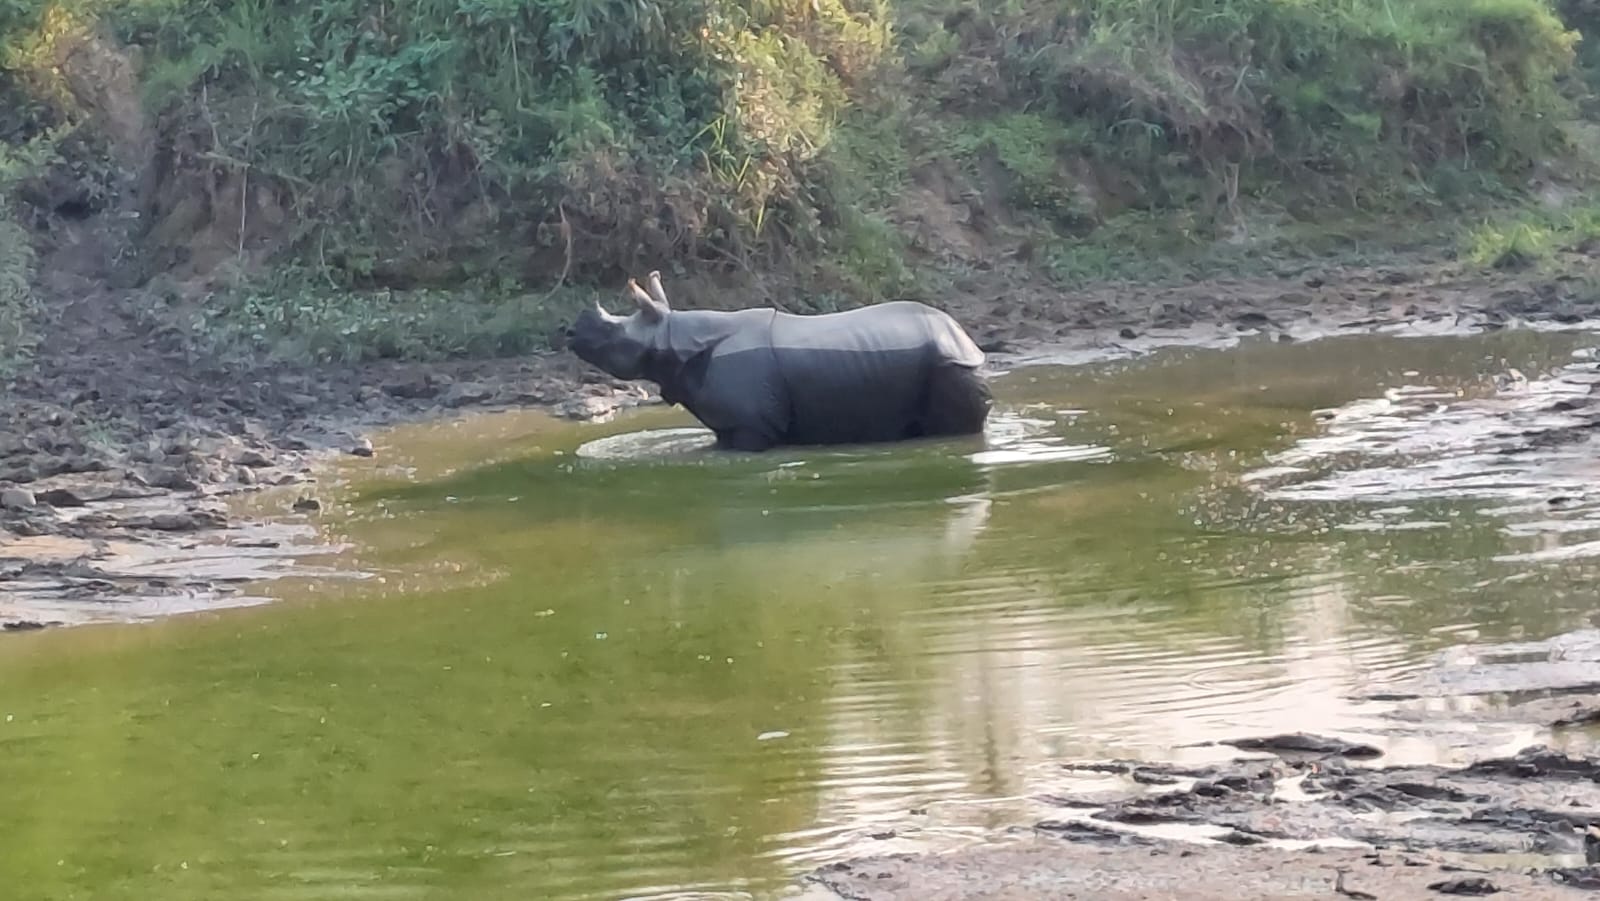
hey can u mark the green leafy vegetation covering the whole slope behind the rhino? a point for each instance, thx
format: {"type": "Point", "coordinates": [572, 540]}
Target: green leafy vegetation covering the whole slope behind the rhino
{"type": "Point", "coordinates": [426, 178]}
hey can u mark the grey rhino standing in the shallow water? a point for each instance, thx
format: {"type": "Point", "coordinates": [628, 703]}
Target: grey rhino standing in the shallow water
{"type": "Point", "coordinates": [762, 378]}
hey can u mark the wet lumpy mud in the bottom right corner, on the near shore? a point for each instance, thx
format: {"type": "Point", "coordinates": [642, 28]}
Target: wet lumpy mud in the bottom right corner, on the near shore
{"type": "Point", "coordinates": [1308, 820]}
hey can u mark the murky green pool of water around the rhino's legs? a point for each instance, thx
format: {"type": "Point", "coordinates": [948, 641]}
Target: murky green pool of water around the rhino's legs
{"type": "Point", "coordinates": [602, 662]}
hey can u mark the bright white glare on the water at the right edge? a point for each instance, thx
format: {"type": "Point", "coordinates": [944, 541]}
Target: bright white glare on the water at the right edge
{"type": "Point", "coordinates": [1415, 446]}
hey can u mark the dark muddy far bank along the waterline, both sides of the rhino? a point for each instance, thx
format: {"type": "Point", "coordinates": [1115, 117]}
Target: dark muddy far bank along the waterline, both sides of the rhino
{"type": "Point", "coordinates": [119, 447]}
